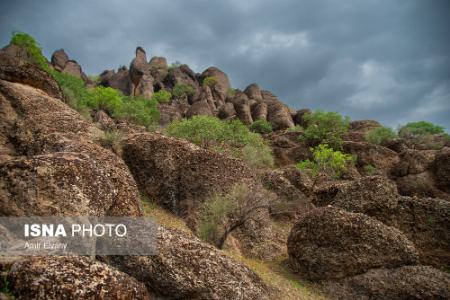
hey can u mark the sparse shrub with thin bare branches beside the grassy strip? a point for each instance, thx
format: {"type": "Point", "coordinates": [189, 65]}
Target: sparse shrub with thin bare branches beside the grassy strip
{"type": "Point", "coordinates": [220, 215]}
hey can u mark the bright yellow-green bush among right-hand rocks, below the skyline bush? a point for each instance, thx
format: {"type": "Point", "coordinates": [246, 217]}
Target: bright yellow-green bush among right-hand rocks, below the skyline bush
{"type": "Point", "coordinates": [326, 161]}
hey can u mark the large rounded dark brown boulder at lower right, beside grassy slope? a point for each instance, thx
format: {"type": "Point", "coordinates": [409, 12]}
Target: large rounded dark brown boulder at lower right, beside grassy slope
{"type": "Point", "coordinates": [329, 243]}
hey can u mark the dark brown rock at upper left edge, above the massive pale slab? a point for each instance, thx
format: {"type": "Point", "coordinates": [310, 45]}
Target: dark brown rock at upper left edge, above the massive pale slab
{"type": "Point", "coordinates": [15, 70]}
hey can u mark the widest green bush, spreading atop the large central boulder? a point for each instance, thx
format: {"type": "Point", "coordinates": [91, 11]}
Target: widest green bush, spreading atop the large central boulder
{"type": "Point", "coordinates": [231, 137]}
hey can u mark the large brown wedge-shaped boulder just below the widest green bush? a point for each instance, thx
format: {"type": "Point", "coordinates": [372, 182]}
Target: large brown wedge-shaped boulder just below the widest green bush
{"type": "Point", "coordinates": [177, 173]}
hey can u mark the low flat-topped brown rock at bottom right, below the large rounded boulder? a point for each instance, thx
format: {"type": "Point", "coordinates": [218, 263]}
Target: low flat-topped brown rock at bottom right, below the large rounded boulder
{"type": "Point", "coordinates": [409, 282]}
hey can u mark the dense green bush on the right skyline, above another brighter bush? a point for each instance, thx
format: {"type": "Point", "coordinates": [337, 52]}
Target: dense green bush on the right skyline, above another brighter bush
{"type": "Point", "coordinates": [325, 128]}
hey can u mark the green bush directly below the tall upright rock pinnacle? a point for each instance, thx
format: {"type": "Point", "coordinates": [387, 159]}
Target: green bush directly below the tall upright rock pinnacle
{"type": "Point", "coordinates": [140, 111]}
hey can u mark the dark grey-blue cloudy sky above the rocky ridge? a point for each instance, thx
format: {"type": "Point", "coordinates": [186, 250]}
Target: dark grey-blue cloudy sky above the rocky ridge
{"type": "Point", "coordinates": [387, 60]}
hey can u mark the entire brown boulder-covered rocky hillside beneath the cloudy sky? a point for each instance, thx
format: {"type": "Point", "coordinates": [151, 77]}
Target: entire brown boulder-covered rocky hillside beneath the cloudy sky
{"type": "Point", "coordinates": [379, 230]}
